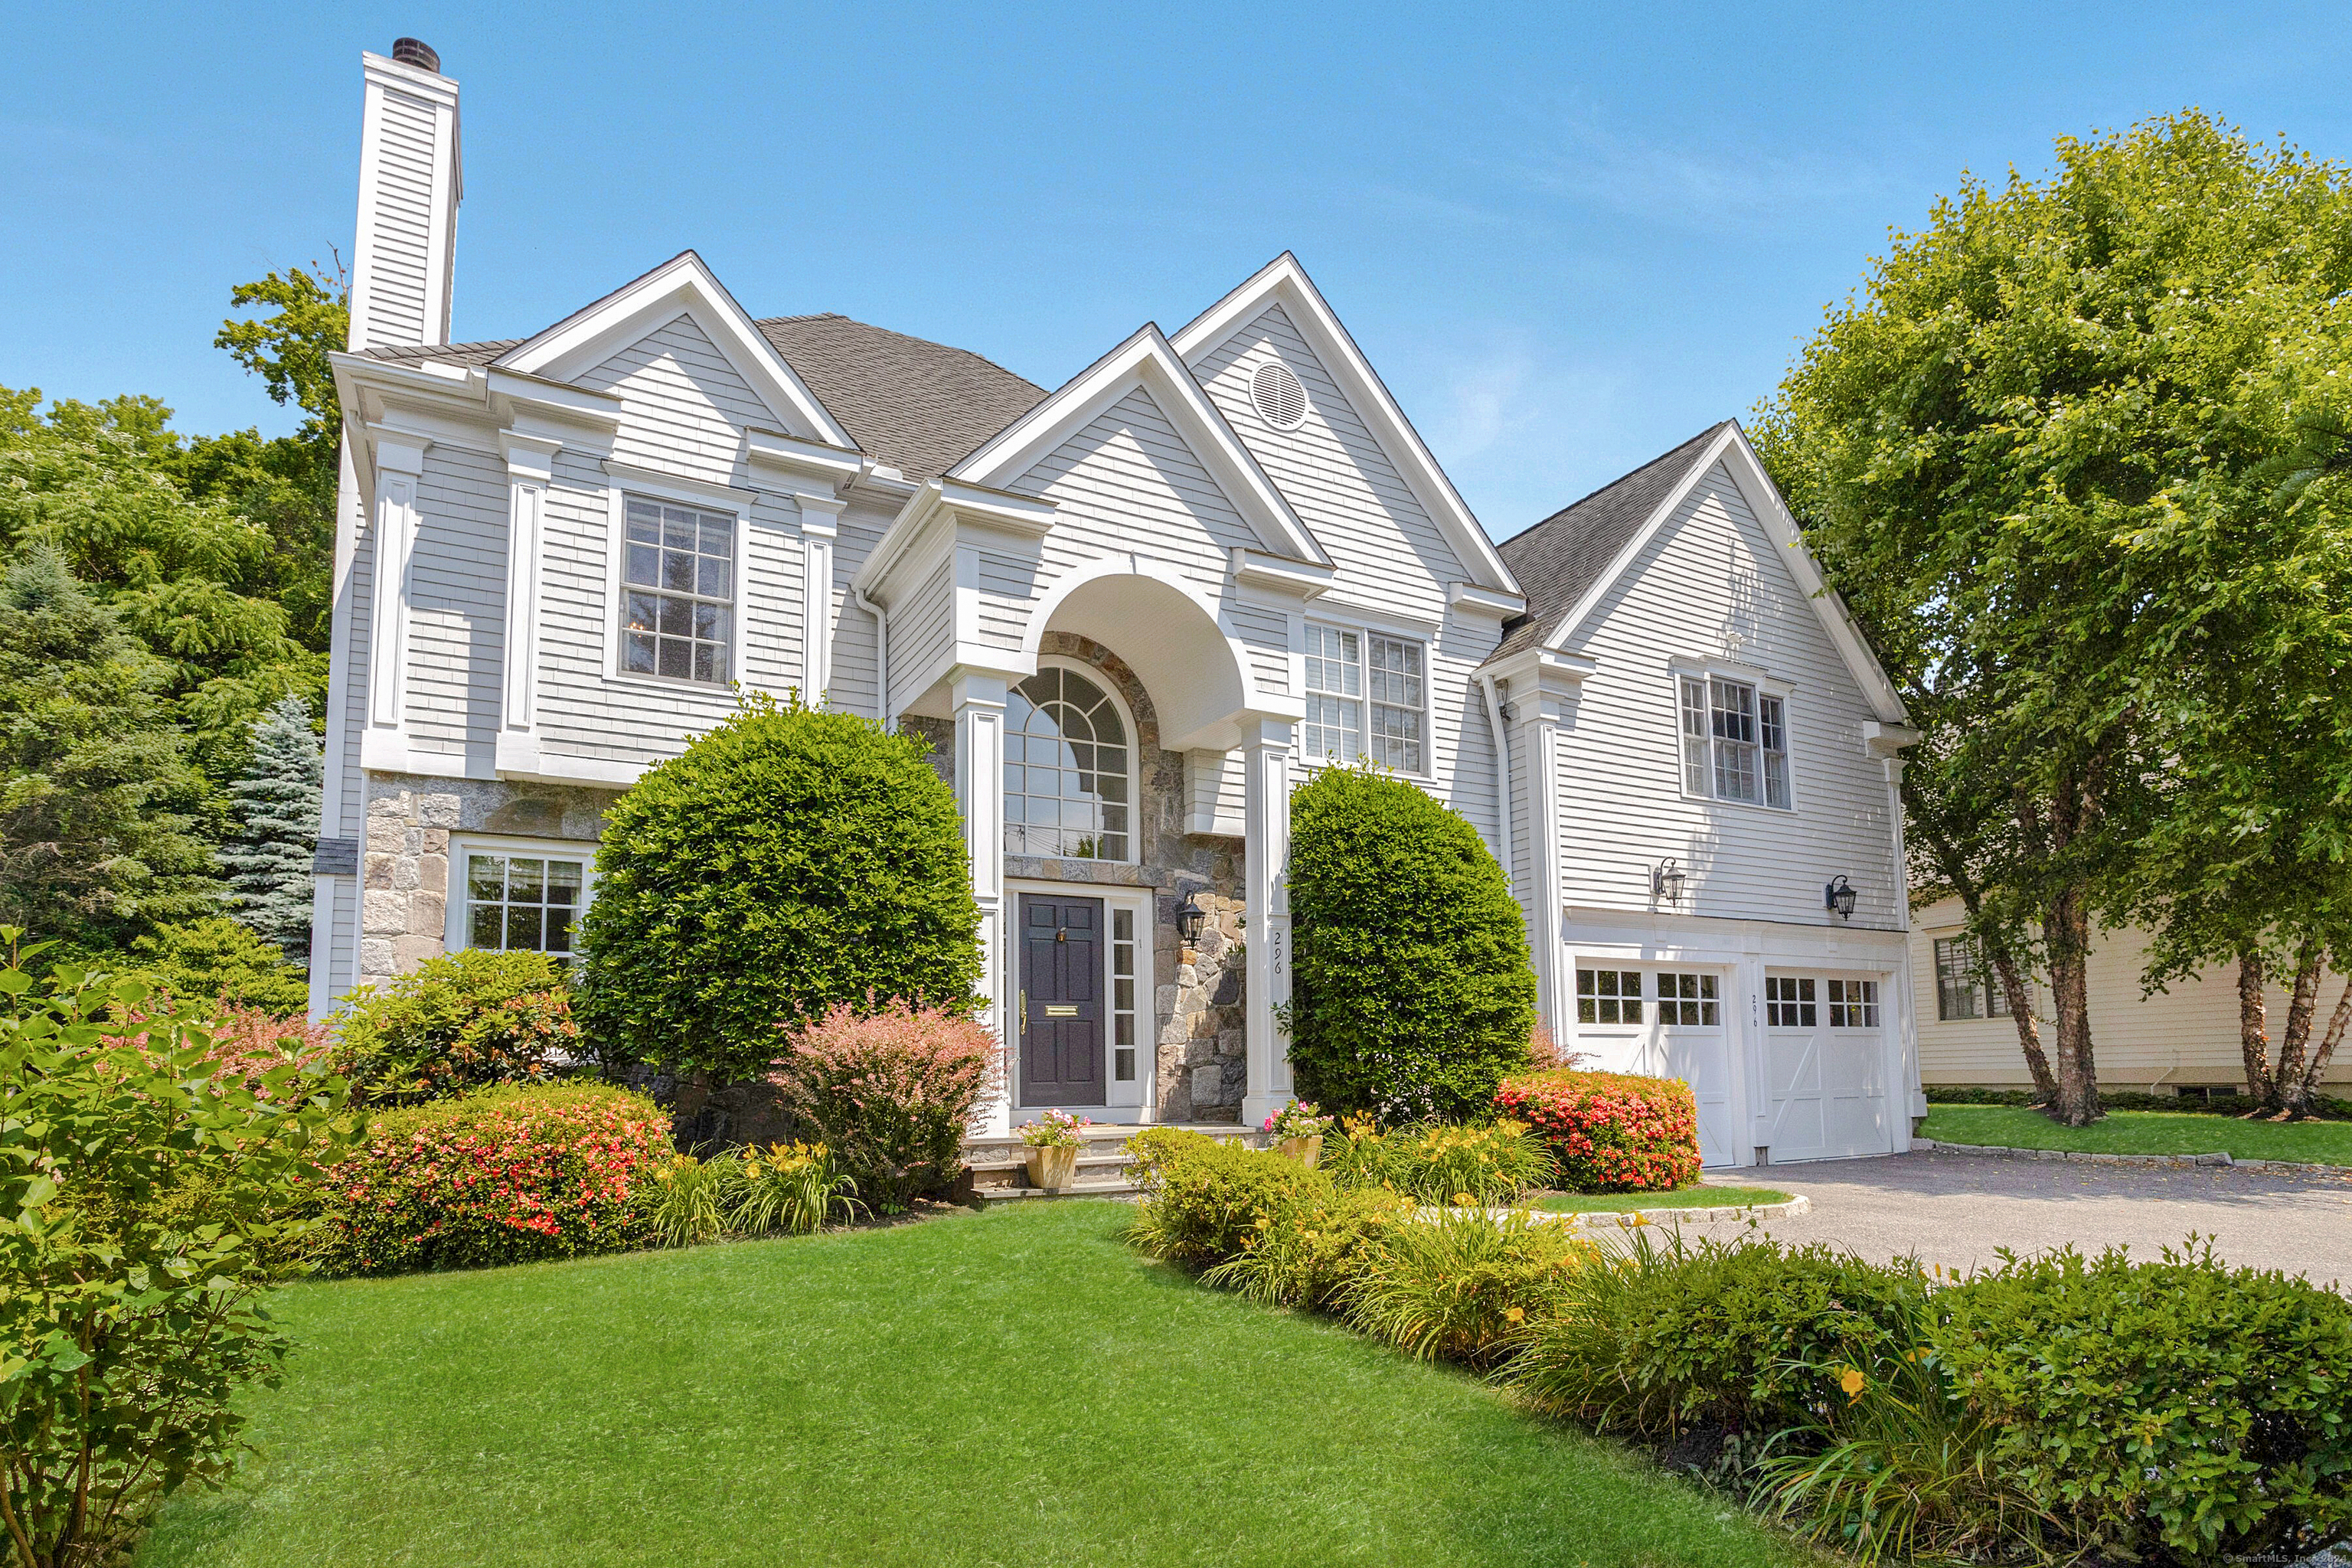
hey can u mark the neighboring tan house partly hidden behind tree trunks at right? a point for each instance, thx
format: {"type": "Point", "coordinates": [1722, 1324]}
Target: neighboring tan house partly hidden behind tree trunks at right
{"type": "Point", "coordinates": [2184, 1038]}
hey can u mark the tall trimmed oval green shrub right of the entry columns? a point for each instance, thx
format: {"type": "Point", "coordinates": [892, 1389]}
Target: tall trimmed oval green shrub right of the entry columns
{"type": "Point", "coordinates": [1412, 986]}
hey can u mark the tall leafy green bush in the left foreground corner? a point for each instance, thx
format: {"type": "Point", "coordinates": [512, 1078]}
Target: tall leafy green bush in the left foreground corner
{"type": "Point", "coordinates": [147, 1195]}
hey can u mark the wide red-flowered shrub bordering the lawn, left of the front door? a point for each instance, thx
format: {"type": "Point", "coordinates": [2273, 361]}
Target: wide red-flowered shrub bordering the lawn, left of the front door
{"type": "Point", "coordinates": [512, 1174]}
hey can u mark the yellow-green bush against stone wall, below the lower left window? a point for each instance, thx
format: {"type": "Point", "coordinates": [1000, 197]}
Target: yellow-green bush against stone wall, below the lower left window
{"type": "Point", "coordinates": [455, 1024]}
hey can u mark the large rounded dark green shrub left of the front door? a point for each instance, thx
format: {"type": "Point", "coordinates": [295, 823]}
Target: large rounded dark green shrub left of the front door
{"type": "Point", "coordinates": [787, 864]}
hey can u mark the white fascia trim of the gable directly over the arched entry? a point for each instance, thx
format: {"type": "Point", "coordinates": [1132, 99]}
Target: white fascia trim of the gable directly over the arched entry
{"type": "Point", "coordinates": [1147, 361]}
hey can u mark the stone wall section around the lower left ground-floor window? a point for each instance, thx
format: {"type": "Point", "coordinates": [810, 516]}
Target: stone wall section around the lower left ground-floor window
{"type": "Point", "coordinates": [406, 880]}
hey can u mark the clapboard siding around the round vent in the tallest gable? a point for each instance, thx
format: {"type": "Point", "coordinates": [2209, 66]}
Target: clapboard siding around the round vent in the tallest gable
{"type": "Point", "coordinates": [1335, 474]}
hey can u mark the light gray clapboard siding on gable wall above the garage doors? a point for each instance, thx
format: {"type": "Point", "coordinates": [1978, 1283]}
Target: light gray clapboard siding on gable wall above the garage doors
{"type": "Point", "coordinates": [1713, 584]}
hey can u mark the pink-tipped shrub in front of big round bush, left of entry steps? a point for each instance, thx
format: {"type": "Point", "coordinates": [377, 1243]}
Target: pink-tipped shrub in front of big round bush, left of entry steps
{"type": "Point", "coordinates": [893, 1094]}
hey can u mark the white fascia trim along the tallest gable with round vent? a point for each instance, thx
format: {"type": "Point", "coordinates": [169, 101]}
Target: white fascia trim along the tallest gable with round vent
{"type": "Point", "coordinates": [1288, 283]}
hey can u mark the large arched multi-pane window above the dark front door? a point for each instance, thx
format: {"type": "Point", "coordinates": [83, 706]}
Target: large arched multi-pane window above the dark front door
{"type": "Point", "coordinates": [1067, 770]}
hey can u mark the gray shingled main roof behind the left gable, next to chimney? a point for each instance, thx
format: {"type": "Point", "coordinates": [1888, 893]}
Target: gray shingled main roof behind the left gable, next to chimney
{"type": "Point", "coordinates": [909, 403]}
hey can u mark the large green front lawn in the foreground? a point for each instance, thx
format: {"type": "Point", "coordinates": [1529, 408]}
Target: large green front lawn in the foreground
{"type": "Point", "coordinates": [1005, 1388]}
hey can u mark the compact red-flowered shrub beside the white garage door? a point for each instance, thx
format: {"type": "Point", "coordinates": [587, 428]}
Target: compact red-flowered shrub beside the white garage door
{"type": "Point", "coordinates": [1610, 1132]}
